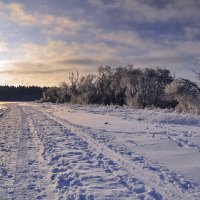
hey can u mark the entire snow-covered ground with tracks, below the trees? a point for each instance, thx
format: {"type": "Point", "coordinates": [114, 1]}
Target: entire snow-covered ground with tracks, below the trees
{"type": "Point", "coordinates": [71, 152]}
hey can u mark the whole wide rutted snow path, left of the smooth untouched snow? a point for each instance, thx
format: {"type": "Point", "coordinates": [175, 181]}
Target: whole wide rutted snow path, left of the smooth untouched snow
{"type": "Point", "coordinates": [46, 157]}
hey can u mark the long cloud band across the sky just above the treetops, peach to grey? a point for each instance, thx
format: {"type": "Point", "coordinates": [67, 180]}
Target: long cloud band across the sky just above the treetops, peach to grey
{"type": "Point", "coordinates": [56, 57]}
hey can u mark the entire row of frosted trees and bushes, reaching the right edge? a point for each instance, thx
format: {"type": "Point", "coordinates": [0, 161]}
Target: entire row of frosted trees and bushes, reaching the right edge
{"type": "Point", "coordinates": [134, 87]}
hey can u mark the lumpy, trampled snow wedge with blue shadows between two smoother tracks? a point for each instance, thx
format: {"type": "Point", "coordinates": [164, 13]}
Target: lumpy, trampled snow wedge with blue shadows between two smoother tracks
{"type": "Point", "coordinates": [78, 171]}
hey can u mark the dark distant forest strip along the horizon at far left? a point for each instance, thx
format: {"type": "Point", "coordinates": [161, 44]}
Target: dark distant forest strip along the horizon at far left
{"type": "Point", "coordinates": [21, 93]}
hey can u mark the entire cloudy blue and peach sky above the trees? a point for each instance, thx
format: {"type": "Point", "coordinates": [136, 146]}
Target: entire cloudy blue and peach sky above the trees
{"type": "Point", "coordinates": [42, 41]}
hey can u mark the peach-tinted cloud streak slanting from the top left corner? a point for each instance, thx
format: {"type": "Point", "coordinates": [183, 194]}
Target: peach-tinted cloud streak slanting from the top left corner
{"type": "Point", "coordinates": [52, 25]}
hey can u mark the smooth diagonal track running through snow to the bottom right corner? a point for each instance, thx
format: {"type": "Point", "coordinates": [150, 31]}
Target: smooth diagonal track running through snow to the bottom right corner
{"type": "Point", "coordinates": [163, 184]}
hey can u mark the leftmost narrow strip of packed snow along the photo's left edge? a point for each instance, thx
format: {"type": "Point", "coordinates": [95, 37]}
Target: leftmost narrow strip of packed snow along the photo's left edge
{"type": "Point", "coordinates": [9, 130]}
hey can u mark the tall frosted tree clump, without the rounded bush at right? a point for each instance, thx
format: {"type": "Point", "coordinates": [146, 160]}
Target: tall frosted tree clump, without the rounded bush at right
{"type": "Point", "coordinates": [130, 86]}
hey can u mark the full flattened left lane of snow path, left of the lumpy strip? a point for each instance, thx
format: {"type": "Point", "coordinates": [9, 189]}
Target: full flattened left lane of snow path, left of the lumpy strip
{"type": "Point", "coordinates": [22, 168]}
